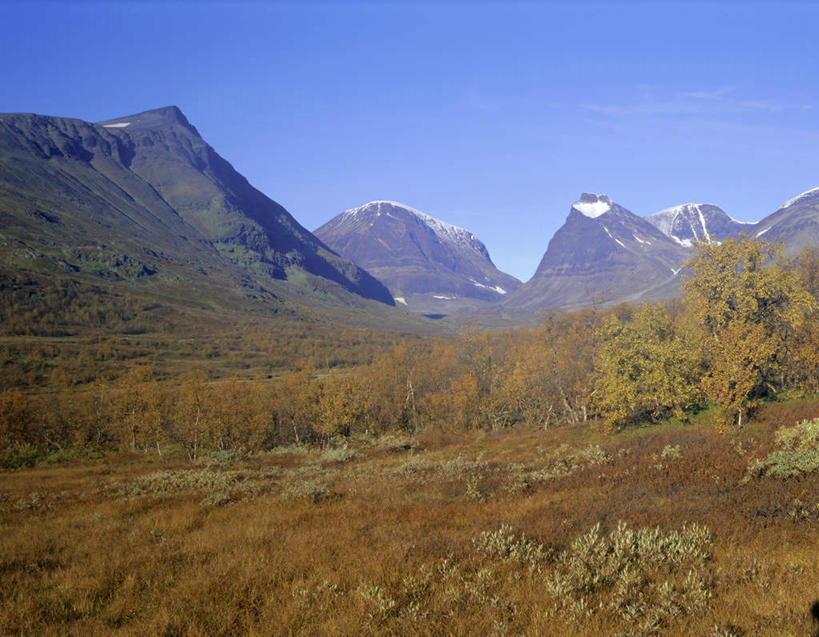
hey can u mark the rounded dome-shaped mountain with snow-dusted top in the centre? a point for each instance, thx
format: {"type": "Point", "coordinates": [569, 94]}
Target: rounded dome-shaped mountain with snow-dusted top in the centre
{"type": "Point", "coordinates": [427, 264]}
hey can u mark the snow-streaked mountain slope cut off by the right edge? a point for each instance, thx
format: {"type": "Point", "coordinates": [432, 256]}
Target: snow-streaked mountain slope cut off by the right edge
{"type": "Point", "coordinates": [795, 223]}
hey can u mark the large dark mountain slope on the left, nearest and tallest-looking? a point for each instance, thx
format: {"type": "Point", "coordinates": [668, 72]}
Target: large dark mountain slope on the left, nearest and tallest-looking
{"type": "Point", "coordinates": [144, 200]}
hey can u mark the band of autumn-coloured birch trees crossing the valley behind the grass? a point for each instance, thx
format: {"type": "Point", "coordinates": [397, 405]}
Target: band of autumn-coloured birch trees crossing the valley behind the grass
{"type": "Point", "coordinates": [745, 330]}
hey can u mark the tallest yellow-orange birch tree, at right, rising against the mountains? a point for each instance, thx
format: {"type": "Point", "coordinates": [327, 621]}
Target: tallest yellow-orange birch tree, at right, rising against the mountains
{"type": "Point", "coordinates": [745, 300]}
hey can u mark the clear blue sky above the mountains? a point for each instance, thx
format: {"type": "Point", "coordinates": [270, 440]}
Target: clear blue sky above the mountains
{"type": "Point", "coordinates": [490, 116]}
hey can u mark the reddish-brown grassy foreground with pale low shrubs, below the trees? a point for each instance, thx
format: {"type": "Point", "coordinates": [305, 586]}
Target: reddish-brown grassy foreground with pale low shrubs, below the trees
{"type": "Point", "coordinates": [661, 530]}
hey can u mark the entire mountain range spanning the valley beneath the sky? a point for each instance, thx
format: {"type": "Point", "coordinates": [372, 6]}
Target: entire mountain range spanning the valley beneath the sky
{"type": "Point", "coordinates": [144, 203]}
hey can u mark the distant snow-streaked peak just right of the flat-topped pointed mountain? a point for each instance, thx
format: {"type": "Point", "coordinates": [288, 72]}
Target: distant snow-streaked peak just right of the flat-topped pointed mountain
{"type": "Point", "coordinates": [692, 222]}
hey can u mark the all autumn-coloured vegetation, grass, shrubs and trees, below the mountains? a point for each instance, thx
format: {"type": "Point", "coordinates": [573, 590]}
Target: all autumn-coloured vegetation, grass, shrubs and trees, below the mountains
{"type": "Point", "coordinates": [640, 470]}
